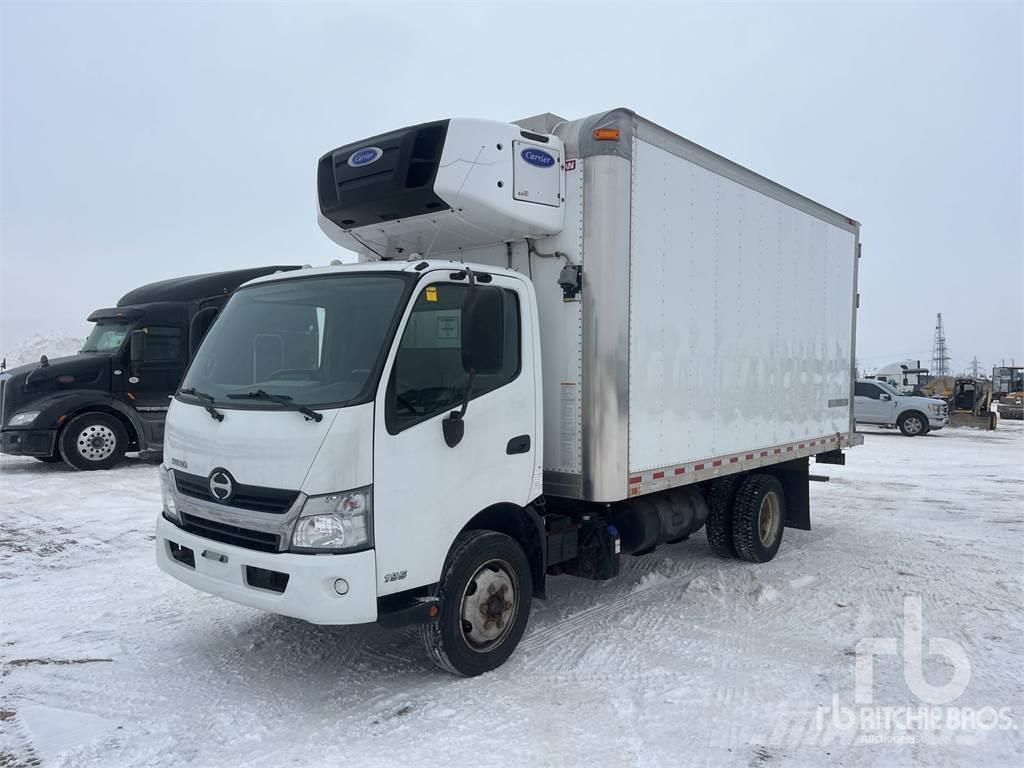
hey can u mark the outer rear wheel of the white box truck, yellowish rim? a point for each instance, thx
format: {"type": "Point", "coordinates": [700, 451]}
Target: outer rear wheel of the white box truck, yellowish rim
{"type": "Point", "coordinates": [758, 519]}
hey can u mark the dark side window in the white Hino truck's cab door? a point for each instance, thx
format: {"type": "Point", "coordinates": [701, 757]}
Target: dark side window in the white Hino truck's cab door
{"type": "Point", "coordinates": [429, 378]}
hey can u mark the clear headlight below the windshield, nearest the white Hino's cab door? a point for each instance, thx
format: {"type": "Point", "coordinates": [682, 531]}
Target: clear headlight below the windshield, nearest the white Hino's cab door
{"type": "Point", "coordinates": [335, 523]}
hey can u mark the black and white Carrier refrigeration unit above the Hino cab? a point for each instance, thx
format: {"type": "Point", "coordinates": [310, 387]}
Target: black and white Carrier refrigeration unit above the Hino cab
{"type": "Point", "coordinates": [439, 188]}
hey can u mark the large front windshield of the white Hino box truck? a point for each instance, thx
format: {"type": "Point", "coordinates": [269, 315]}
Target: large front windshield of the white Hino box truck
{"type": "Point", "coordinates": [319, 342]}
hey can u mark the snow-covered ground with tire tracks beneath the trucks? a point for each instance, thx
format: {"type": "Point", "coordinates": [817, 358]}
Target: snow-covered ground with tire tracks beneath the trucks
{"type": "Point", "coordinates": [686, 660]}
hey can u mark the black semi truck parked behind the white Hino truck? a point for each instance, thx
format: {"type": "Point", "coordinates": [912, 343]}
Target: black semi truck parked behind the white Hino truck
{"type": "Point", "coordinates": [92, 408]}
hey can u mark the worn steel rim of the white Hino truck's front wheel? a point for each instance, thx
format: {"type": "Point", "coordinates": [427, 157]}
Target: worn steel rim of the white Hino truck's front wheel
{"type": "Point", "coordinates": [490, 606]}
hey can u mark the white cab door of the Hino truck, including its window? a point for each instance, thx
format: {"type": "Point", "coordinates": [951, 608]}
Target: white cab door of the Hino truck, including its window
{"type": "Point", "coordinates": [424, 491]}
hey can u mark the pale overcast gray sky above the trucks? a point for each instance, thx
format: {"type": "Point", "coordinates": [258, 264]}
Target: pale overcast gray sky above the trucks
{"type": "Point", "coordinates": [147, 141]}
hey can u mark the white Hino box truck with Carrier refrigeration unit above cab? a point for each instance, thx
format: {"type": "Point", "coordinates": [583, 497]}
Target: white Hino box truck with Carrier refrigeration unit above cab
{"type": "Point", "coordinates": [566, 343]}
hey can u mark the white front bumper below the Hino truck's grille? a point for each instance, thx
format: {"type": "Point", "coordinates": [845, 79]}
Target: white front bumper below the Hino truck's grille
{"type": "Point", "coordinates": [310, 594]}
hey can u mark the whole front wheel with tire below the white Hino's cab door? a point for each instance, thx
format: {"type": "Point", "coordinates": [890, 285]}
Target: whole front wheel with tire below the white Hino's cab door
{"type": "Point", "coordinates": [485, 595]}
